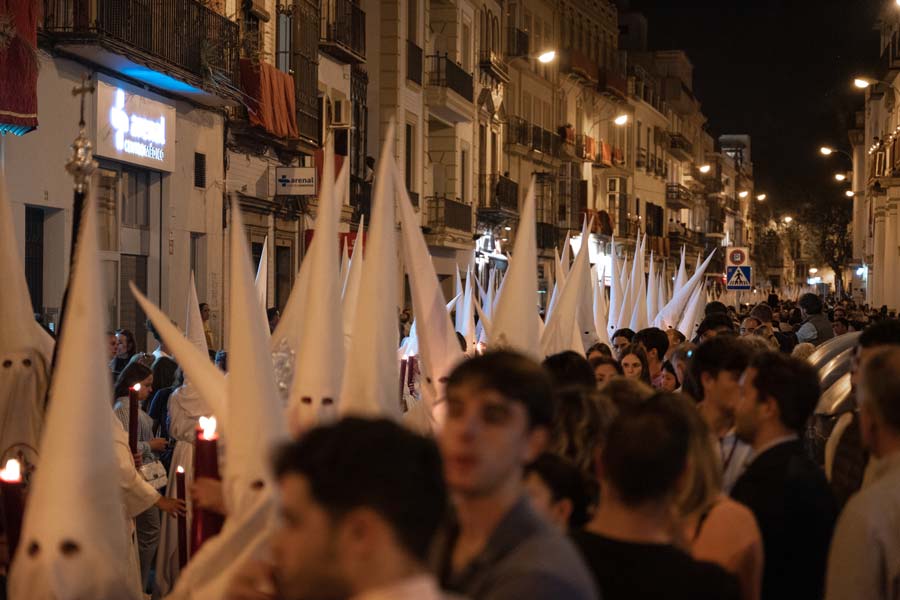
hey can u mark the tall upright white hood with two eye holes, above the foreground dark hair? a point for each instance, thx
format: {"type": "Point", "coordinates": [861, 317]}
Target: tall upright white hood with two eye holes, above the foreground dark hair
{"type": "Point", "coordinates": [318, 369]}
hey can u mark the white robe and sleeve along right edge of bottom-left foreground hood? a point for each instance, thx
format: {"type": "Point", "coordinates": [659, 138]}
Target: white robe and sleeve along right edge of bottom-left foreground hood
{"type": "Point", "coordinates": [137, 495]}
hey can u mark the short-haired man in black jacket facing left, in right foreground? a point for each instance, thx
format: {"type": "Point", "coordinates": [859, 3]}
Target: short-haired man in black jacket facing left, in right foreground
{"type": "Point", "coordinates": [786, 491]}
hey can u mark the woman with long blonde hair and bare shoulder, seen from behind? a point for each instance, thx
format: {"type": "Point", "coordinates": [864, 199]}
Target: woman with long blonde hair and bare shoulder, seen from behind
{"type": "Point", "coordinates": [714, 527]}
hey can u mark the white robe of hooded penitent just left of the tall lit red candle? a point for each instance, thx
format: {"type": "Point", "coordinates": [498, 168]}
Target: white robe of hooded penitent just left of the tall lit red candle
{"type": "Point", "coordinates": [185, 409]}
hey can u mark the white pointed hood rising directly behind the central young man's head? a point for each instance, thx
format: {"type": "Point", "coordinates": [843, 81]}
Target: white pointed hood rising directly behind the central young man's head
{"type": "Point", "coordinates": [514, 325]}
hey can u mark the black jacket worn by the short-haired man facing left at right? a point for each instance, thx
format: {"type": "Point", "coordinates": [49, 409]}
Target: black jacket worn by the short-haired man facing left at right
{"type": "Point", "coordinates": [795, 510]}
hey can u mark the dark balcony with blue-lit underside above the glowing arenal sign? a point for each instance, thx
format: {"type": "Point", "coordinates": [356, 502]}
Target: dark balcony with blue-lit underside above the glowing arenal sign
{"type": "Point", "coordinates": [179, 46]}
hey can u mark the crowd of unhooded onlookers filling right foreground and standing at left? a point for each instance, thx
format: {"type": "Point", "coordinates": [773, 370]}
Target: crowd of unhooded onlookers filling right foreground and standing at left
{"type": "Point", "coordinates": [658, 467]}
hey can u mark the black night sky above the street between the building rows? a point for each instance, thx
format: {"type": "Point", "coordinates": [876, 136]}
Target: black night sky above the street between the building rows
{"type": "Point", "coordinates": [780, 70]}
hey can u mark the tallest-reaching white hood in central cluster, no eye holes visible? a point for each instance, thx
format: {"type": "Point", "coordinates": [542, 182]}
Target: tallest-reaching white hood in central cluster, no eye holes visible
{"type": "Point", "coordinates": [371, 387]}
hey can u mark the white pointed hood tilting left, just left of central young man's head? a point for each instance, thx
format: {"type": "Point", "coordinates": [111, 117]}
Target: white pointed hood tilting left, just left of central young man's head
{"type": "Point", "coordinates": [438, 346]}
